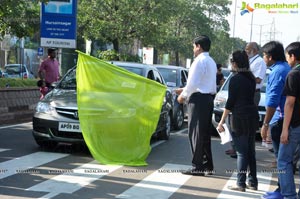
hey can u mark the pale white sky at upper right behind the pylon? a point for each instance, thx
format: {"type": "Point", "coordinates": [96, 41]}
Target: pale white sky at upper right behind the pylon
{"type": "Point", "coordinates": [268, 24]}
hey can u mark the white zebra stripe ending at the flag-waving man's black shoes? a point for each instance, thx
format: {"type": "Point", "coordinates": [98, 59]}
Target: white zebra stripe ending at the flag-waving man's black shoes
{"type": "Point", "coordinates": [160, 184]}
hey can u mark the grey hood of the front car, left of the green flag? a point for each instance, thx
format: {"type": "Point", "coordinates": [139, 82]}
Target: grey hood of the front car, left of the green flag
{"type": "Point", "coordinates": [62, 98]}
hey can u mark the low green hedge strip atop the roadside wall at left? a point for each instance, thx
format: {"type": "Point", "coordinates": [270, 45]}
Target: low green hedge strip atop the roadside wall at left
{"type": "Point", "coordinates": [20, 83]}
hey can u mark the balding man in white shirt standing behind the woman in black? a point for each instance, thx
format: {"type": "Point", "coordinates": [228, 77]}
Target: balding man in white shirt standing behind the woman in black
{"type": "Point", "coordinates": [257, 66]}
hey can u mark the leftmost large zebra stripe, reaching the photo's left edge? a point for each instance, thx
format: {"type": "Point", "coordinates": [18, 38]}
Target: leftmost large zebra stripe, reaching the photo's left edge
{"type": "Point", "coordinates": [23, 163]}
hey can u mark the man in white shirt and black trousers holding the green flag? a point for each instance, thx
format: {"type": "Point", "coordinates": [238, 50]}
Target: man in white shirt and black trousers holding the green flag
{"type": "Point", "coordinates": [199, 93]}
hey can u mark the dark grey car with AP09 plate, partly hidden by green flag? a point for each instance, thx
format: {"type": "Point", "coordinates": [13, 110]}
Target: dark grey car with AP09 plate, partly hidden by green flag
{"type": "Point", "coordinates": [56, 117]}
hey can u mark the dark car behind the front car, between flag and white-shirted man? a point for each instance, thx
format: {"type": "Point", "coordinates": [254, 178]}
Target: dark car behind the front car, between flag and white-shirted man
{"type": "Point", "coordinates": [175, 77]}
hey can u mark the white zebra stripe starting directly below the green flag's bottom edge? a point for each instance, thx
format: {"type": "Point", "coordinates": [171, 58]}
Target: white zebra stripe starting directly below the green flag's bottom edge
{"type": "Point", "coordinates": [74, 180]}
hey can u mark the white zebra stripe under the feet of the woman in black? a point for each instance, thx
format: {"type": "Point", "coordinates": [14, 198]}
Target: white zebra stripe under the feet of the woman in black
{"type": "Point", "coordinates": [264, 180]}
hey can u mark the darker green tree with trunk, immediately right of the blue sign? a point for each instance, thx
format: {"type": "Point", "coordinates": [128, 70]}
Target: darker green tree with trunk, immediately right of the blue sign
{"type": "Point", "coordinates": [122, 21]}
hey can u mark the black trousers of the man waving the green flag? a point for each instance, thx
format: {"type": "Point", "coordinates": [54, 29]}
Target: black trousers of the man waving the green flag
{"type": "Point", "coordinates": [200, 108]}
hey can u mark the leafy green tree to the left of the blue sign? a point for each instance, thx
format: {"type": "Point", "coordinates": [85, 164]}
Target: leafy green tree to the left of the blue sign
{"type": "Point", "coordinates": [20, 18]}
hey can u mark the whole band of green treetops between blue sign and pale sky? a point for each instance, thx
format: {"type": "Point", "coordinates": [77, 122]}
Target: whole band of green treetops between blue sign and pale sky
{"type": "Point", "coordinates": [169, 26]}
